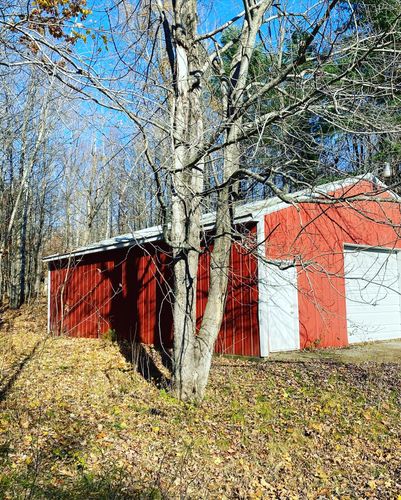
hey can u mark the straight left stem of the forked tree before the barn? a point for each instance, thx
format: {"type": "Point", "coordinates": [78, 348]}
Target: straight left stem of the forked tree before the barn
{"type": "Point", "coordinates": [187, 184]}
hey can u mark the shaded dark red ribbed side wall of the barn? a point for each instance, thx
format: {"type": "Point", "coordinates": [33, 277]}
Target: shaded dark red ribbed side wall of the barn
{"type": "Point", "coordinates": [130, 291]}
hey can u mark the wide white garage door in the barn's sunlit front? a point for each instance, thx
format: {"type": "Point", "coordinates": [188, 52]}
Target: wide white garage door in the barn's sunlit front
{"type": "Point", "coordinates": [372, 285]}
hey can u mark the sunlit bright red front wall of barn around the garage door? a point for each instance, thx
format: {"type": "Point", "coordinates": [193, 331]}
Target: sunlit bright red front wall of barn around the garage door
{"type": "Point", "coordinates": [315, 234]}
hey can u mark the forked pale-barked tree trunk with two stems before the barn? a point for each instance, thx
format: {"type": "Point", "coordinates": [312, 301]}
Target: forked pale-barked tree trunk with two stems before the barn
{"type": "Point", "coordinates": [193, 350]}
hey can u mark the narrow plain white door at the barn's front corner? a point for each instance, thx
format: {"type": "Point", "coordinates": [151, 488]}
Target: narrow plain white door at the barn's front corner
{"type": "Point", "coordinates": [282, 308]}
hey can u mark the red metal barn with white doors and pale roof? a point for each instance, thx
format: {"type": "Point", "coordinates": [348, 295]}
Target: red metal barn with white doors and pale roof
{"type": "Point", "coordinates": [324, 274]}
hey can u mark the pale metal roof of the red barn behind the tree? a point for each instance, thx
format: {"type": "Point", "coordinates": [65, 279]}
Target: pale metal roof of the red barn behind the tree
{"type": "Point", "coordinates": [249, 211]}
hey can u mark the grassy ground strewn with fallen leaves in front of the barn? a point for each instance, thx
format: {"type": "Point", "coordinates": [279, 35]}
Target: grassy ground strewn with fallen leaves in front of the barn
{"type": "Point", "coordinates": [77, 421]}
